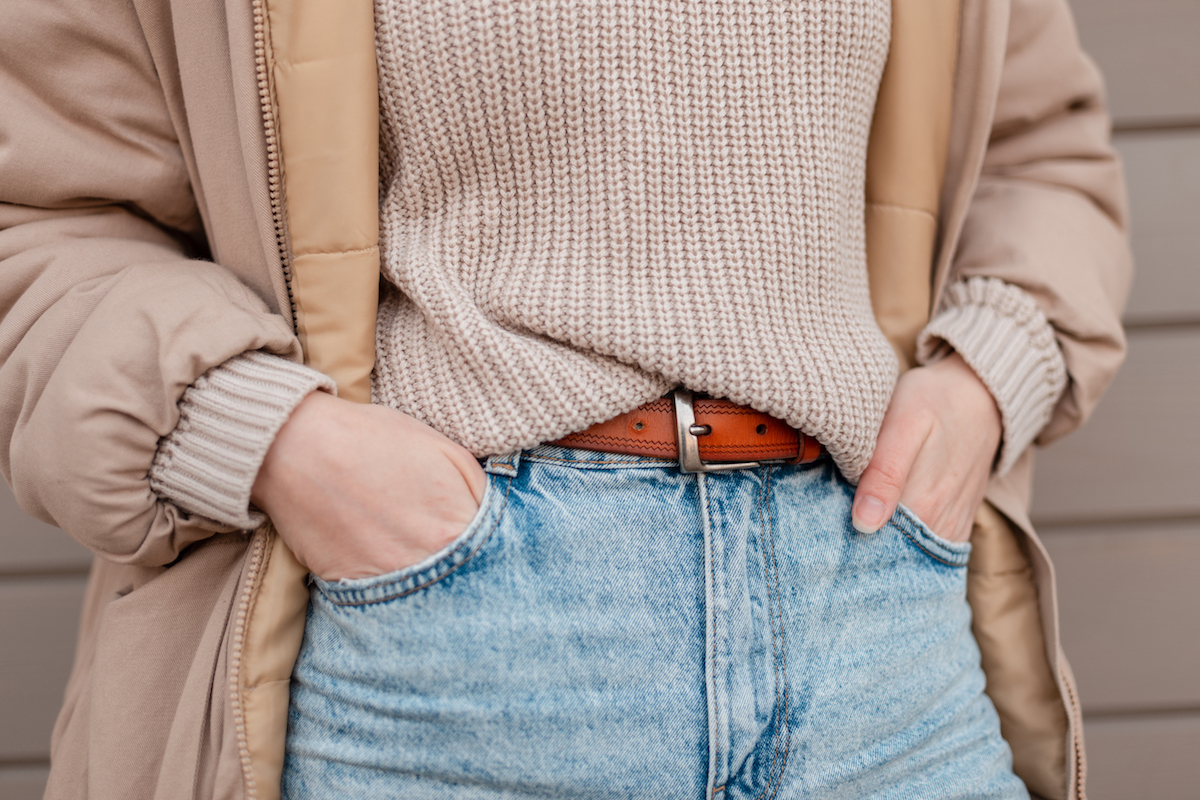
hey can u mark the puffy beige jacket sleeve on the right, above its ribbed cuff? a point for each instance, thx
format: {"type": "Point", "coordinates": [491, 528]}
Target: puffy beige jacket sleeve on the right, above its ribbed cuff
{"type": "Point", "coordinates": [1049, 214]}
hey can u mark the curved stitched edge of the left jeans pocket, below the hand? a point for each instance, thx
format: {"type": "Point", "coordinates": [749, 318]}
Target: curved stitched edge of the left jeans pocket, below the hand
{"type": "Point", "coordinates": [410, 580]}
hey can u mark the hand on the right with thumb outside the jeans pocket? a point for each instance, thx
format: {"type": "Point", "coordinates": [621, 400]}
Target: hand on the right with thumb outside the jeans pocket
{"type": "Point", "coordinates": [935, 452]}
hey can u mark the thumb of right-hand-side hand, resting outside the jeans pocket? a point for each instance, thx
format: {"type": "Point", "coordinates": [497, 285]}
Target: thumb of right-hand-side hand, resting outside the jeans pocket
{"type": "Point", "coordinates": [879, 491]}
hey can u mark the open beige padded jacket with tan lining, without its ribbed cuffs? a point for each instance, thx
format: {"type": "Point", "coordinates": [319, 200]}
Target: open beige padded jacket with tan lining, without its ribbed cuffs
{"type": "Point", "coordinates": [140, 140]}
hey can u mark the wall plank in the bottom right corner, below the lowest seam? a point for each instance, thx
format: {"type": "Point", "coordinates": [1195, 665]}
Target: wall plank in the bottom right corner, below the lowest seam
{"type": "Point", "coordinates": [1144, 757]}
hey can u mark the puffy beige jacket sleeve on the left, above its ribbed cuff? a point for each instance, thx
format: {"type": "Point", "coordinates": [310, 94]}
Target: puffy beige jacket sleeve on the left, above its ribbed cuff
{"type": "Point", "coordinates": [107, 315]}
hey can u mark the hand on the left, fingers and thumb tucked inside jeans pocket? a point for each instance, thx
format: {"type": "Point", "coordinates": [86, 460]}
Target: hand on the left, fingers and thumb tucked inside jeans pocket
{"type": "Point", "coordinates": [357, 491]}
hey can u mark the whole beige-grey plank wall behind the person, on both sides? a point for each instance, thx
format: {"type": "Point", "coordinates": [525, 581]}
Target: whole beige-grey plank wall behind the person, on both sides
{"type": "Point", "coordinates": [1119, 504]}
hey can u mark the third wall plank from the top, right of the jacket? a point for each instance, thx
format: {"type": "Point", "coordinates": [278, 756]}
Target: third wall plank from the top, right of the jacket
{"type": "Point", "coordinates": [1139, 456]}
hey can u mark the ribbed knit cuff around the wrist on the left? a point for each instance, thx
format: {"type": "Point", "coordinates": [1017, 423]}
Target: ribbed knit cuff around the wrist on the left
{"type": "Point", "coordinates": [227, 422]}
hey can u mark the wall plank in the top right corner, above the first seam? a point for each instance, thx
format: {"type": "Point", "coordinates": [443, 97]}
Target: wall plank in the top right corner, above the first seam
{"type": "Point", "coordinates": [1149, 53]}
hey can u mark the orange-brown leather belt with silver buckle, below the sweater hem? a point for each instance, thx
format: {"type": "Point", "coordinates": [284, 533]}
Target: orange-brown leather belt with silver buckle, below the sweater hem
{"type": "Point", "coordinates": [704, 435]}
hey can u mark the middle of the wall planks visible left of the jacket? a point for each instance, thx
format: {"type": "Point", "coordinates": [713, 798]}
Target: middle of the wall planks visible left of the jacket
{"type": "Point", "coordinates": [39, 621]}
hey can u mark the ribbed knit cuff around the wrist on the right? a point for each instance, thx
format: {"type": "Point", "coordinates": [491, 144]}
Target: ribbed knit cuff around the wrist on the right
{"type": "Point", "coordinates": [1004, 336]}
